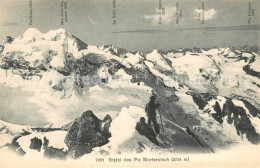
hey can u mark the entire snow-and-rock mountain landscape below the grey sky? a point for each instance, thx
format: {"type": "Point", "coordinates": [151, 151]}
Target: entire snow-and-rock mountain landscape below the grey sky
{"type": "Point", "coordinates": [209, 98]}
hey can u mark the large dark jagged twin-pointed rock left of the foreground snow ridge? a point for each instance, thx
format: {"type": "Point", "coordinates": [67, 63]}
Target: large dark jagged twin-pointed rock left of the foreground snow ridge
{"type": "Point", "coordinates": [86, 133]}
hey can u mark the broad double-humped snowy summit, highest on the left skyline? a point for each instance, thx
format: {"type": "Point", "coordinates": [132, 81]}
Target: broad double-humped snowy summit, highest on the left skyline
{"type": "Point", "coordinates": [53, 48]}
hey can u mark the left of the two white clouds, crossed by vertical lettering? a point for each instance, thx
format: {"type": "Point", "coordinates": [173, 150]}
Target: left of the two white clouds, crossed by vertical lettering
{"type": "Point", "coordinates": [165, 19]}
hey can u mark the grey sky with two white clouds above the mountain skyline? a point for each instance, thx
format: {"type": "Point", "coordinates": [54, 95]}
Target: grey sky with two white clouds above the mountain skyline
{"type": "Point", "coordinates": [137, 28]}
